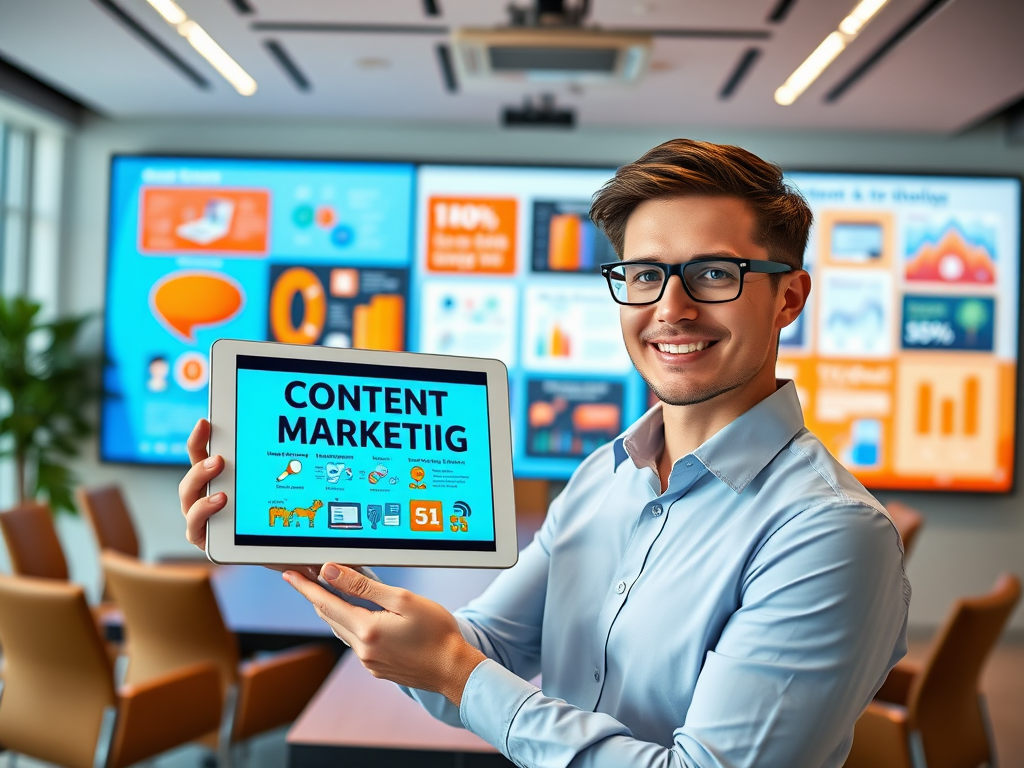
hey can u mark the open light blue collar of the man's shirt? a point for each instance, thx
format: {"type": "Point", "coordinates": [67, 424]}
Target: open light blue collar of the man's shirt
{"type": "Point", "coordinates": [738, 453]}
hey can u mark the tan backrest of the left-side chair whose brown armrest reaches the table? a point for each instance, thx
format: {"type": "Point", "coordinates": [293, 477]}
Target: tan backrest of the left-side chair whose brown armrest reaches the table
{"type": "Point", "coordinates": [172, 619]}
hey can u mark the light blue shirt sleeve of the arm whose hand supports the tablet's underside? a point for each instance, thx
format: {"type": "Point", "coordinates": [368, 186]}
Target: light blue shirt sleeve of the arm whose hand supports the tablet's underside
{"type": "Point", "coordinates": [823, 619]}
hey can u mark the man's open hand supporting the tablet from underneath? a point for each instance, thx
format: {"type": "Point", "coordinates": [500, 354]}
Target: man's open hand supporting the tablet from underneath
{"type": "Point", "coordinates": [414, 642]}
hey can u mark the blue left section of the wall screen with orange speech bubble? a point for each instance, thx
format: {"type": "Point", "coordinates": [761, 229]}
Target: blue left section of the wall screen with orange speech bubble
{"type": "Point", "coordinates": [271, 250]}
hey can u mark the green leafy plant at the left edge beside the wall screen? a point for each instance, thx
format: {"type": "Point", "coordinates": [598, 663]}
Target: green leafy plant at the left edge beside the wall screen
{"type": "Point", "coordinates": [46, 387]}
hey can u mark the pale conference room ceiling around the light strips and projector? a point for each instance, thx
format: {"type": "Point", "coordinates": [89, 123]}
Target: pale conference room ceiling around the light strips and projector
{"type": "Point", "coordinates": [920, 66]}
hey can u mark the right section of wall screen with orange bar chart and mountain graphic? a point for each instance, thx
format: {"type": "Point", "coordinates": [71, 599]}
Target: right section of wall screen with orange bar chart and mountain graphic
{"type": "Point", "coordinates": [907, 359]}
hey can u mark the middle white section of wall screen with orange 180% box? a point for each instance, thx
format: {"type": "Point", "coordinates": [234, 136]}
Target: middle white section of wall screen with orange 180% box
{"type": "Point", "coordinates": [507, 267]}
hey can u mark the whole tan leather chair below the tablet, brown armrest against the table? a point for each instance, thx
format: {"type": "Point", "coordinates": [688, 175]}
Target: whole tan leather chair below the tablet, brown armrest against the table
{"type": "Point", "coordinates": [173, 619]}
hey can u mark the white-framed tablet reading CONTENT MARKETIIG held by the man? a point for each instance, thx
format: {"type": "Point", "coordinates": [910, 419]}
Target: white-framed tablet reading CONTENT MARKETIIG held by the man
{"type": "Point", "coordinates": [360, 457]}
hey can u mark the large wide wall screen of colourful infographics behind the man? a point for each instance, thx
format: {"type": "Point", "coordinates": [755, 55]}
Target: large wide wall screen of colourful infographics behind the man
{"type": "Point", "coordinates": [906, 360]}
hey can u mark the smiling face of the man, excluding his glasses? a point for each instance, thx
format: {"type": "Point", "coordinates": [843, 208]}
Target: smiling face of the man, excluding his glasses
{"type": "Point", "coordinates": [737, 340]}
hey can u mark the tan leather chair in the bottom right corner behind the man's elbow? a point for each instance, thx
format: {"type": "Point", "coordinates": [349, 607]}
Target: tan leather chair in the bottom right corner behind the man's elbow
{"type": "Point", "coordinates": [933, 715]}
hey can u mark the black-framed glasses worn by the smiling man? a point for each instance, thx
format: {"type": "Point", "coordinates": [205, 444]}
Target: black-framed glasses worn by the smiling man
{"type": "Point", "coordinates": [710, 281]}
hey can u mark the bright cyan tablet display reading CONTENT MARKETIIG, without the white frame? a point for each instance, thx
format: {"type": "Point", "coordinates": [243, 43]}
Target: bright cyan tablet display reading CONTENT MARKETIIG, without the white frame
{"type": "Point", "coordinates": [352, 455]}
